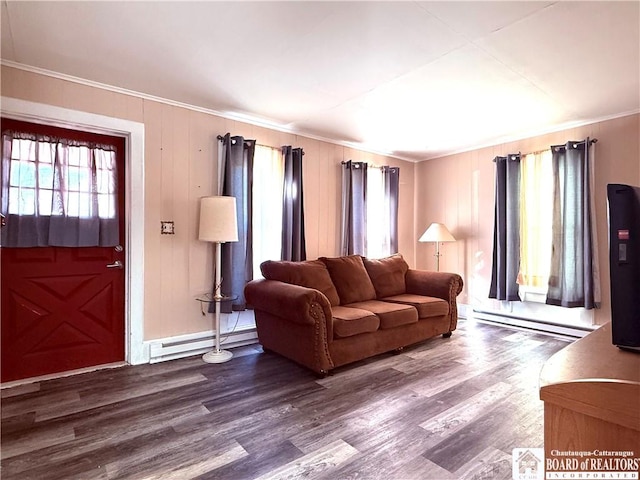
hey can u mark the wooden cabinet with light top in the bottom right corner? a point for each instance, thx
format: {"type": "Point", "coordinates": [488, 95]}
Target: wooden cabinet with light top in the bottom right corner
{"type": "Point", "coordinates": [591, 394]}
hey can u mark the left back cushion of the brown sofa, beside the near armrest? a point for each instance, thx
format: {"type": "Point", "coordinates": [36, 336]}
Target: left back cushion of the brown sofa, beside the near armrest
{"type": "Point", "coordinates": [310, 274]}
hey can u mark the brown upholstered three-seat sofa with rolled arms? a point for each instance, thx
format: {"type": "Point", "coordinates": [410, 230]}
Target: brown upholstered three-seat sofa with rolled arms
{"type": "Point", "coordinates": [333, 311]}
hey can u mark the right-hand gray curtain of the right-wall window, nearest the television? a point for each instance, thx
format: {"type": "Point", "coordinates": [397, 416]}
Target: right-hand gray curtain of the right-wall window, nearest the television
{"type": "Point", "coordinates": [571, 279]}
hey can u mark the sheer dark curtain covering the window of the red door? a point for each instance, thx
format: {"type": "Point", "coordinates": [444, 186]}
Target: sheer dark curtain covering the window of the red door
{"type": "Point", "coordinates": [58, 192]}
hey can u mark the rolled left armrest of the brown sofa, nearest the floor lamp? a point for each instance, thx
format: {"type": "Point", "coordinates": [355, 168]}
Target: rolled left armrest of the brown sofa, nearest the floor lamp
{"type": "Point", "coordinates": [301, 305]}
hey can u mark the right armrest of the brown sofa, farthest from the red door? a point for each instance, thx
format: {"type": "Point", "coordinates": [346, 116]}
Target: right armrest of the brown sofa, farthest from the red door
{"type": "Point", "coordinates": [444, 285]}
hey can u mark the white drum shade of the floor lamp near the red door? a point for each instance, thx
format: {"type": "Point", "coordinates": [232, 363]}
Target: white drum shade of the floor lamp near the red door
{"type": "Point", "coordinates": [218, 222]}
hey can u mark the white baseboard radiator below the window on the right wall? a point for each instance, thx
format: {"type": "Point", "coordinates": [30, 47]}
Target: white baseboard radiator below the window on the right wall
{"type": "Point", "coordinates": [513, 321]}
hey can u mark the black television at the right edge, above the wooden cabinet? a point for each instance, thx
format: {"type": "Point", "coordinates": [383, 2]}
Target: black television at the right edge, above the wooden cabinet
{"type": "Point", "coordinates": [624, 264]}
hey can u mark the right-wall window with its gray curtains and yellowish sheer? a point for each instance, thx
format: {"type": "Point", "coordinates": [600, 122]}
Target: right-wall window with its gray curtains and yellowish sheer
{"type": "Point", "coordinates": [544, 233]}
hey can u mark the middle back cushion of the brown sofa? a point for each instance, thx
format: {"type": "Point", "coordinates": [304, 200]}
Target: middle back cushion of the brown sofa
{"type": "Point", "coordinates": [350, 278]}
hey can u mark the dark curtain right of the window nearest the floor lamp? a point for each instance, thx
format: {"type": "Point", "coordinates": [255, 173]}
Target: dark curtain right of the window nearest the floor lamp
{"type": "Point", "coordinates": [293, 240]}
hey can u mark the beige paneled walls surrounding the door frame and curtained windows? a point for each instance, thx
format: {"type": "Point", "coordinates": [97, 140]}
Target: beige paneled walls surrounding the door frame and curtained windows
{"type": "Point", "coordinates": [180, 159]}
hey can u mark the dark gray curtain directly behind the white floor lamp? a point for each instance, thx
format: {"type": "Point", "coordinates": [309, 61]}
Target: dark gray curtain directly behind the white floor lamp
{"type": "Point", "coordinates": [236, 175]}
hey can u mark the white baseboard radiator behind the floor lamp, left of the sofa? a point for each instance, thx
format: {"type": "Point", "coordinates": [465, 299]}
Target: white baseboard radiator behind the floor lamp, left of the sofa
{"type": "Point", "coordinates": [199, 343]}
